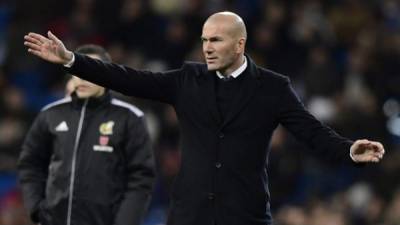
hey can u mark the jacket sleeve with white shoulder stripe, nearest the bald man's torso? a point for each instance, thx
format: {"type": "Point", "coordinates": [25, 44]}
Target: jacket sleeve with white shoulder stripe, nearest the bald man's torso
{"type": "Point", "coordinates": [140, 175]}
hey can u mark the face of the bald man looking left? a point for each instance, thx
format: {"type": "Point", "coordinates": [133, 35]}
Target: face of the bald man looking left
{"type": "Point", "coordinates": [219, 47]}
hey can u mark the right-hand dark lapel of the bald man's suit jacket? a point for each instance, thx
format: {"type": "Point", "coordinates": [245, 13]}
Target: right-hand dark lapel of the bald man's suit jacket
{"type": "Point", "coordinates": [248, 87]}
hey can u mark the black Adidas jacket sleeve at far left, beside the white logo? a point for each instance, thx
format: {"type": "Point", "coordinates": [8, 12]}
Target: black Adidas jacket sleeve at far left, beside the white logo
{"type": "Point", "coordinates": [33, 165]}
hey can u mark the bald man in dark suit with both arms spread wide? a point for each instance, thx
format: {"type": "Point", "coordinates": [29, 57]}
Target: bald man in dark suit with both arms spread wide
{"type": "Point", "coordinates": [228, 109]}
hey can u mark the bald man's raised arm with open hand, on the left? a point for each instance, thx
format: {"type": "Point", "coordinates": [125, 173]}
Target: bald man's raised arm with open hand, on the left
{"type": "Point", "coordinates": [161, 86]}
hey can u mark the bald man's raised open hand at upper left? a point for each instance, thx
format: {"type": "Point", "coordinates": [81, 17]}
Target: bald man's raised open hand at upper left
{"type": "Point", "coordinates": [49, 48]}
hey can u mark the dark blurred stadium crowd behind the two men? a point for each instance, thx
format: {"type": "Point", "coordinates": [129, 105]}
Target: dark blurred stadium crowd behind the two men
{"type": "Point", "coordinates": [343, 57]}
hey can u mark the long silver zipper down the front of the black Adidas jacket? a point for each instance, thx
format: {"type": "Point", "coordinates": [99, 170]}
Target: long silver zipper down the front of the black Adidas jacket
{"type": "Point", "coordinates": [73, 163]}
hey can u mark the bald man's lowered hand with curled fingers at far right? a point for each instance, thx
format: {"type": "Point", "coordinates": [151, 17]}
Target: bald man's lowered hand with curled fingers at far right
{"type": "Point", "coordinates": [367, 151]}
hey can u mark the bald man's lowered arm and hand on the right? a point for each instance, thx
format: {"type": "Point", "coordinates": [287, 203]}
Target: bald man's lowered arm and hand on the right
{"type": "Point", "coordinates": [307, 128]}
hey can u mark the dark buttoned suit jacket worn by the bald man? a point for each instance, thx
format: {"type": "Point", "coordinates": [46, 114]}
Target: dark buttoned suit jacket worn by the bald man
{"type": "Point", "coordinates": [223, 178]}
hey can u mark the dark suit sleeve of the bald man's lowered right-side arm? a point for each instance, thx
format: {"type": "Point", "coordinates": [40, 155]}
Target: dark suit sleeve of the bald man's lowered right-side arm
{"type": "Point", "coordinates": [306, 128]}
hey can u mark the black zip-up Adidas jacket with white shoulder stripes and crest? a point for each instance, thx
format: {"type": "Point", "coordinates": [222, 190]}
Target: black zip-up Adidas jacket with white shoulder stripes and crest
{"type": "Point", "coordinates": [87, 162]}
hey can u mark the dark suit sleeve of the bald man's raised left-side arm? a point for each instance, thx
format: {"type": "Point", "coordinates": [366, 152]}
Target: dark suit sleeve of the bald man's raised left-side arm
{"type": "Point", "coordinates": [162, 86]}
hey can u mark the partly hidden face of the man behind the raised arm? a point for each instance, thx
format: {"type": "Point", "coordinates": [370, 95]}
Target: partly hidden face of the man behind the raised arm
{"type": "Point", "coordinates": [86, 89]}
